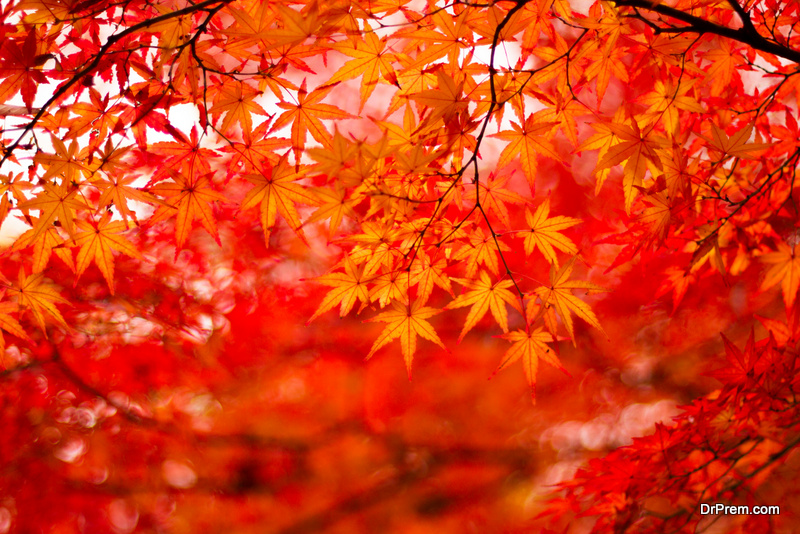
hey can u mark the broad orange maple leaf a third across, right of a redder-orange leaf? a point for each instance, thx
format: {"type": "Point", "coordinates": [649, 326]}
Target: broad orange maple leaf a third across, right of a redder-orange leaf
{"type": "Point", "coordinates": [276, 191]}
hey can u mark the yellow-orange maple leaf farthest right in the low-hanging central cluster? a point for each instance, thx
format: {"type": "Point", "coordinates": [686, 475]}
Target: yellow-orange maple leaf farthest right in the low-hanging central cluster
{"type": "Point", "coordinates": [559, 295]}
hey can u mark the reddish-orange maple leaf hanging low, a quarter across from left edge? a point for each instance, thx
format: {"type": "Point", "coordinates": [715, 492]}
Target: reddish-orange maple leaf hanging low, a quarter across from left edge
{"type": "Point", "coordinates": [191, 197]}
